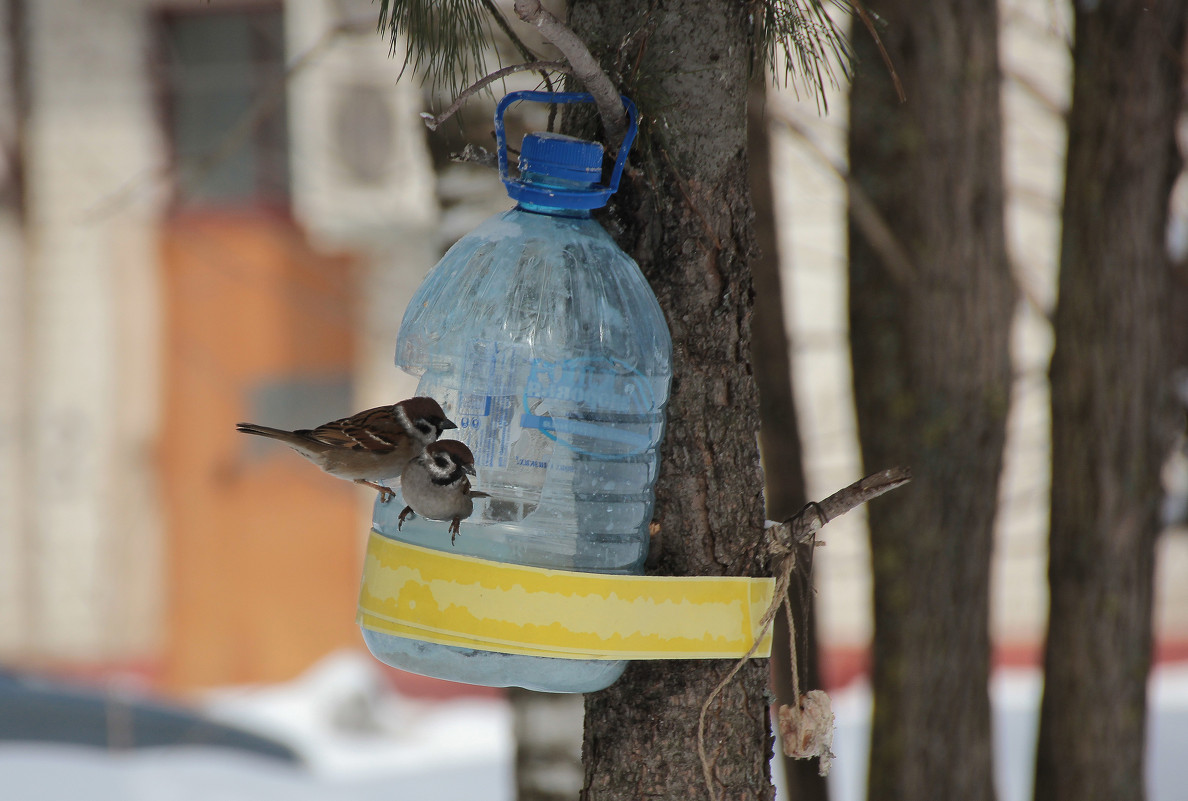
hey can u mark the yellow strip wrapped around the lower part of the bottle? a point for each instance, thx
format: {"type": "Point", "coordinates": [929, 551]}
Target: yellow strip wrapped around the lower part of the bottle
{"type": "Point", "coordinates": [450, 600]}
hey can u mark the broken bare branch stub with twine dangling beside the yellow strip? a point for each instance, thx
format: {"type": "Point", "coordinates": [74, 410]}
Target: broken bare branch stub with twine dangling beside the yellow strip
{"type": "Point", "coordinates": [782, 541]}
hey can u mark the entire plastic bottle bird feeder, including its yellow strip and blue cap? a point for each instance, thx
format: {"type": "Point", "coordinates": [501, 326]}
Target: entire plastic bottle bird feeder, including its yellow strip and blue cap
{"type": "Point", "coordinates": [544, 342]}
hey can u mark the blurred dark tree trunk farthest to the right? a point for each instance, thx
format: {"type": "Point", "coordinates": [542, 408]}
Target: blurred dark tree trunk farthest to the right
{"type": "Point", "coordinates": [1109, 396]}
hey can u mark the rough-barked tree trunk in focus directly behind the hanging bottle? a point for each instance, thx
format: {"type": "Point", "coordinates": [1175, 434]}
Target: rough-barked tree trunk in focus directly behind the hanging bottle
{"type": "Point", "coordinates": [686, 217]}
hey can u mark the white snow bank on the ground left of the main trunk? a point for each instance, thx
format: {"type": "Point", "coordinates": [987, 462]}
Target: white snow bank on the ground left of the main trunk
{"type": "Point", "coordinates": [359, 742]}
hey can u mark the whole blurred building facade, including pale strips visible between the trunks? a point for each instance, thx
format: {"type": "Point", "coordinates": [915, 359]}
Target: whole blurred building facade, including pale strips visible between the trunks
{"type": "Point", "coordinates": [213, 212]}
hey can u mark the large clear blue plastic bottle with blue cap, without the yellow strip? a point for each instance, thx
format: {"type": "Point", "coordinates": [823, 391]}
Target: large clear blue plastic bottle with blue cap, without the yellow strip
{"type": "Point", "coordinates": [544, 342]}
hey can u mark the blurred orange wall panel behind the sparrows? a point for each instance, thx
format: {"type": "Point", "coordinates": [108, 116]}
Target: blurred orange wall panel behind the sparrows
{"type": "Point", "coordinates": [263, 554]}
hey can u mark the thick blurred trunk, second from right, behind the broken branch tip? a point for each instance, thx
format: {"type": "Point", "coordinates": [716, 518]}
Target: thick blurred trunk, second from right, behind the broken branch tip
{"type": "Point", "coordinates": [931, 314]}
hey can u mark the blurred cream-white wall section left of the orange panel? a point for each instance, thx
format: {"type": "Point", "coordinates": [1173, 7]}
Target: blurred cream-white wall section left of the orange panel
{"type": "Point", "coordinates": [85, 535]}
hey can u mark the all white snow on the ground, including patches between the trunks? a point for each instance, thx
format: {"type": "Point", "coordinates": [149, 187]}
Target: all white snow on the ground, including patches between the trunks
{"type": "Point", "coordinates": [362, 742]}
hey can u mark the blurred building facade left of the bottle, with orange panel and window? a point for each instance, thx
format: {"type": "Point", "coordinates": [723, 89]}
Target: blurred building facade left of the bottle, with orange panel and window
{"type": "Point", "coordinates": [213, 212]}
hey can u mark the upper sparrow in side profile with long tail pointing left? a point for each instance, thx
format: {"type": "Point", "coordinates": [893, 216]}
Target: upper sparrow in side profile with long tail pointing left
{"type": "Point", "coordinates": [368, 447]}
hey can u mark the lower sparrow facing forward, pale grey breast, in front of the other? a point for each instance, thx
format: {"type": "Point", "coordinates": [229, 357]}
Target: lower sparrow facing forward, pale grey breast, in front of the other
{"type": "Point", "coordinates": [435, 485]}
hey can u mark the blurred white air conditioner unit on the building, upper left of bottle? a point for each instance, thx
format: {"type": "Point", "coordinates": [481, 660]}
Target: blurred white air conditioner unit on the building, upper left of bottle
{"type": "Point", "coordinates": [359, 165]}
